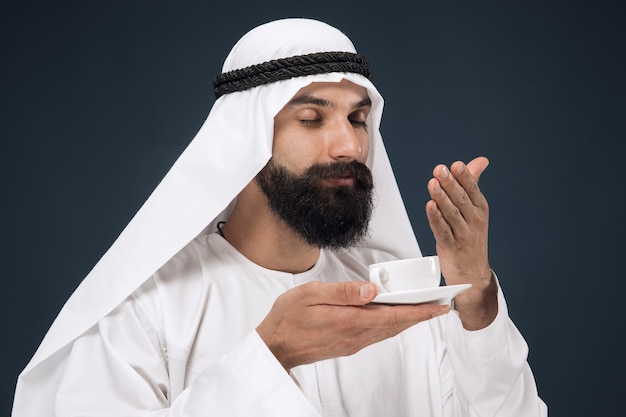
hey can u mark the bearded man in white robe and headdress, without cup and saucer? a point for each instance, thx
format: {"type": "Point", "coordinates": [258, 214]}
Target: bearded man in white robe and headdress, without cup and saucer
{"type": "Point", "coordinates": [240, 288]}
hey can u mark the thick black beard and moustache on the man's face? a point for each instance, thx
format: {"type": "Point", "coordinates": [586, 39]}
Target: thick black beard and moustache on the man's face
{"type": "Point", "coordinates": [325, 216]}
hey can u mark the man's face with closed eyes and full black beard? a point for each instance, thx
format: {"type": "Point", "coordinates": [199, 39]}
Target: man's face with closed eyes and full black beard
{"type": "Point", "coordinates": [317, 181]}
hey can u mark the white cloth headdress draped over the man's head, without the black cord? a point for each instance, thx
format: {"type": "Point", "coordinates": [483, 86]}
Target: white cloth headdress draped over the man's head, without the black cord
{"type": "Point", "coordinates": [231, 147]}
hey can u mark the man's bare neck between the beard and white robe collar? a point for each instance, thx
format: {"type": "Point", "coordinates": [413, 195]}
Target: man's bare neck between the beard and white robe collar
{"type": "Point", "coordinates": [255, 231]}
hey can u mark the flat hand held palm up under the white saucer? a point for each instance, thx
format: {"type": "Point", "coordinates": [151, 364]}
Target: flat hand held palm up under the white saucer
{"type": "Point", "coordinates": [317, 321]}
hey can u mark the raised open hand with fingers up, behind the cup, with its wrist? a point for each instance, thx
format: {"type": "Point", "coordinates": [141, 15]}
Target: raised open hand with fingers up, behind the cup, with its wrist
{"type": "Point", "coordinates": [459, 218]}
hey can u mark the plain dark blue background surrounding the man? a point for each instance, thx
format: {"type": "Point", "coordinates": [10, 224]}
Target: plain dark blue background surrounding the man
{"type": "Point", "coordinates": [99, 98]}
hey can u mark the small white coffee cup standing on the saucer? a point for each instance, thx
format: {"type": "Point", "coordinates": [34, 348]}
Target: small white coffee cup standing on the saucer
{"type": "Point", "coordinates": [406, 274]}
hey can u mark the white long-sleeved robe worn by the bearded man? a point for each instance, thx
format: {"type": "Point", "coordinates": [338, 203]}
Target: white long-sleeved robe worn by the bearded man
{"type": "Point", "coordinates": [184, 344]}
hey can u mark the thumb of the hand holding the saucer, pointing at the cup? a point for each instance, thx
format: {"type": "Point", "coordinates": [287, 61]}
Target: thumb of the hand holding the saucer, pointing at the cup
{"type": "Point", "coordinates": [339, 293]}
